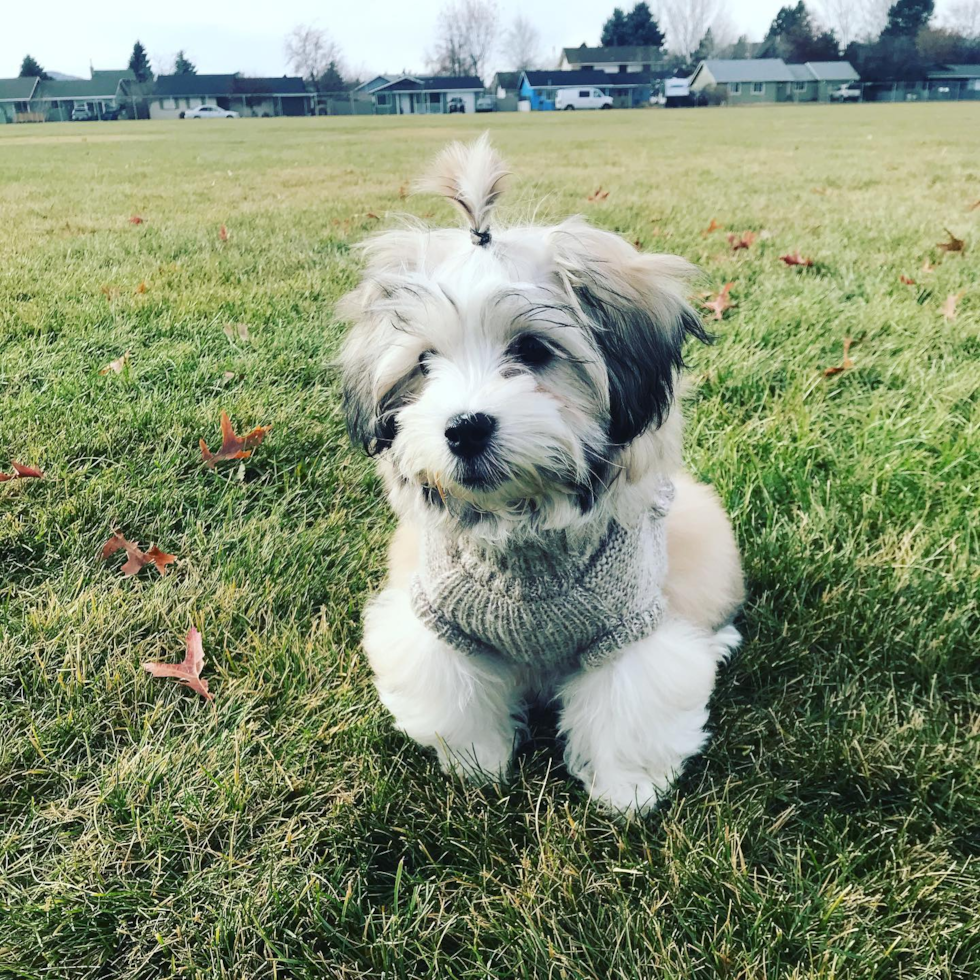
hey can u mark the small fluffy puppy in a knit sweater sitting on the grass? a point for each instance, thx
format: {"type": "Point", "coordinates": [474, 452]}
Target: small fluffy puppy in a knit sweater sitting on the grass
{"type": "Point", "coordinates": [518, 388]}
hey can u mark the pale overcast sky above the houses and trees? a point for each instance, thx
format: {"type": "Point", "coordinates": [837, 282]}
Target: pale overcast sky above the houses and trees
{"type": "Point", "coordinates": [247, 35]}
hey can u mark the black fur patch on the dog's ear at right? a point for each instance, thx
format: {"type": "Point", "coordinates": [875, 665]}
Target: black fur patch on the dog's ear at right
{"type": "Point", "coordinates": [642, 356]}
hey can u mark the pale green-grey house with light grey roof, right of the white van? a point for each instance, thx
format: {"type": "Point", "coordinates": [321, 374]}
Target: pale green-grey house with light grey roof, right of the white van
{"type": "Point", "coordinates": [757, 80]}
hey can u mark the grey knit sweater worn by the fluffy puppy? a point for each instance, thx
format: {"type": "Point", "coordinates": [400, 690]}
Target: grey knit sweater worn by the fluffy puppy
{"type": "Point", "coordinates": [546, 603]}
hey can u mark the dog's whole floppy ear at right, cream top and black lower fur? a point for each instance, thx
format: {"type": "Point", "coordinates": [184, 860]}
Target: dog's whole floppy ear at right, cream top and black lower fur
{"type": "Point", "coordinates": [635, 306]}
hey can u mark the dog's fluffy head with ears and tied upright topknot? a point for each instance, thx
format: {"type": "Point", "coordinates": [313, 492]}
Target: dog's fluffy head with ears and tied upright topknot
{"type": "Point", "coordinates": [506, 377]}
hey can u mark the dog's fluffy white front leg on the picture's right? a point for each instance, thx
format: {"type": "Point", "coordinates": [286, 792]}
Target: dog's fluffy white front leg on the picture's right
{"type": "Point", "coordinates": [631, 722]}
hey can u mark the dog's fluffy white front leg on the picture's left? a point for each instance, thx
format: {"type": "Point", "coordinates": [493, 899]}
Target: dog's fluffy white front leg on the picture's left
{"type": "Point", "coordinates": [467, 708]}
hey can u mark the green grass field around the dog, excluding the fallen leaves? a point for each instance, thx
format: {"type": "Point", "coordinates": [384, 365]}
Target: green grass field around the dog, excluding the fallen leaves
{"type": "Point", "coordinates": [832, 829]}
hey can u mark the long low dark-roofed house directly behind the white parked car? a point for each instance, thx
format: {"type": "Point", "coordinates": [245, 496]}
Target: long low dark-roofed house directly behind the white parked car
{"type": "Point", "coordinates": [172, 95]}
